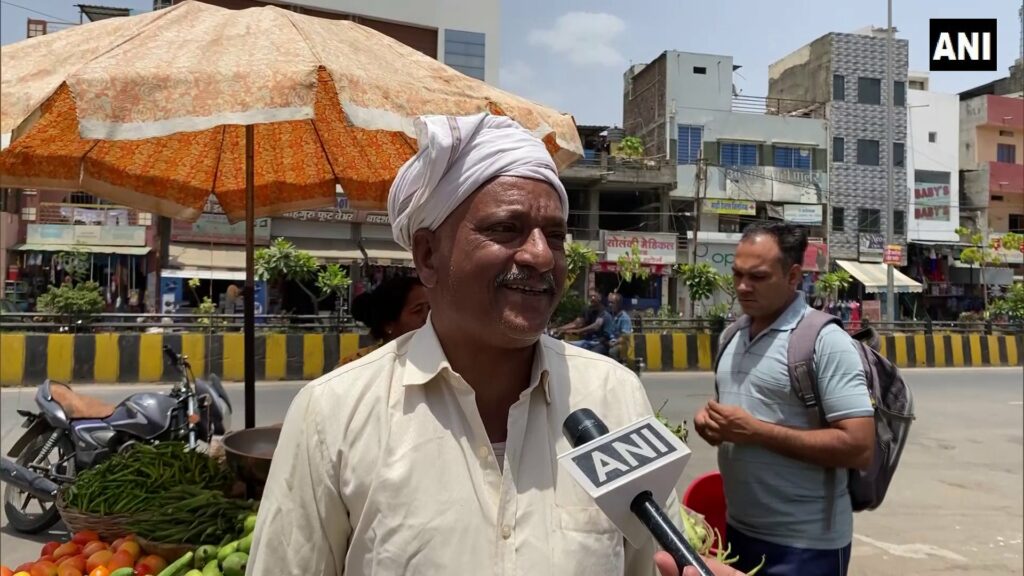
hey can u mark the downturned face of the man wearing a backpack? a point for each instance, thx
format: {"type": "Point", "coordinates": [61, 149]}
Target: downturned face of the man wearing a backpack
{"type": "Point", "coordinates": [764, 285]}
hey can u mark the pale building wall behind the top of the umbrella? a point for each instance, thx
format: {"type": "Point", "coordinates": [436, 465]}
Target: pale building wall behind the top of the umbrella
{"type": "Point", "coordinates": [467, 16]}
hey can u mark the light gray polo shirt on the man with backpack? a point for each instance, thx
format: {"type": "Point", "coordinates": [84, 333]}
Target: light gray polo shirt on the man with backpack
{"type": "Point", "coordinates": [771, 497]}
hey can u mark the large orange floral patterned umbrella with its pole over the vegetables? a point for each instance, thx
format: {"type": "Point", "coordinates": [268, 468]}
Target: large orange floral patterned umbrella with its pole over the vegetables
{"type": "Point", "coordinates": [267, 109]}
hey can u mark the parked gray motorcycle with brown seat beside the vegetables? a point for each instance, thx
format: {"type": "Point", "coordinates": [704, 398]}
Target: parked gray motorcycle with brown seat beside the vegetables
{"type": "Point", "coordinates": [72, 433]}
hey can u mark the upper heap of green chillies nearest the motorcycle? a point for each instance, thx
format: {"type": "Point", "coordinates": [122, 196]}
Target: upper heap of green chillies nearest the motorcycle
{"type": "Point", "coordinates": [126, 482]}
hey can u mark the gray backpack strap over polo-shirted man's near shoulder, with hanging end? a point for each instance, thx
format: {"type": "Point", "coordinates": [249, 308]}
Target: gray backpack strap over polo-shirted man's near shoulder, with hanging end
{"type": "Point", "coordinates": [805, 384]}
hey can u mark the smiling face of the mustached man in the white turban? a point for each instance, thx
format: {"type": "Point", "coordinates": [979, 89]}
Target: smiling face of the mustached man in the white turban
{"type": "Point", "coordinates": [497, 265]}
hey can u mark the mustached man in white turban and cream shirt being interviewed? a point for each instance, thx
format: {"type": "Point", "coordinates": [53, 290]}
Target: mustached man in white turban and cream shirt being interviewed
{"type": "Point", "coordinates": [437, 454]}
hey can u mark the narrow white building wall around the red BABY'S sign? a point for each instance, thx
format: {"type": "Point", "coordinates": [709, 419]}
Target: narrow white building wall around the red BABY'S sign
{"type": "Point", "coordinates": [933, 112]}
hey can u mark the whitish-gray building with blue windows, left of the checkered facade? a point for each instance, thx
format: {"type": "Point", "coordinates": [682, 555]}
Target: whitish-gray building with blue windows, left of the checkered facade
{"type": "Point", "coordinates": [765, 158]}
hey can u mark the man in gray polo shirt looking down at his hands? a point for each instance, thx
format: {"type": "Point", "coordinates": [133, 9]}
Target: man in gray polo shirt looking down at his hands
{"type": "Point", "coordinates": [773, 459]}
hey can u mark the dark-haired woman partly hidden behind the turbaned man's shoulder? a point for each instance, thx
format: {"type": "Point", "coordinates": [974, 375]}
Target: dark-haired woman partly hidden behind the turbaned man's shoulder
{"type": "Point", "coordinates": [396, 308]}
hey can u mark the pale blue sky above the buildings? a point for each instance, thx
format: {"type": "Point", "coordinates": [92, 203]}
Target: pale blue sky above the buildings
{"type": "Point", "coordinates": [572, 54]}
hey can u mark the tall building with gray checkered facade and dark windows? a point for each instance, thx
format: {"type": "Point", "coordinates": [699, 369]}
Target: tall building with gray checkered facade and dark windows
{"type": "Point", "coordinates": [848, 71]}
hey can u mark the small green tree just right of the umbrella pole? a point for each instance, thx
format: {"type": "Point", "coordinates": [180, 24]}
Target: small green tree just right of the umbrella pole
{"type": "Point", "coordinates": [282, 261]}
